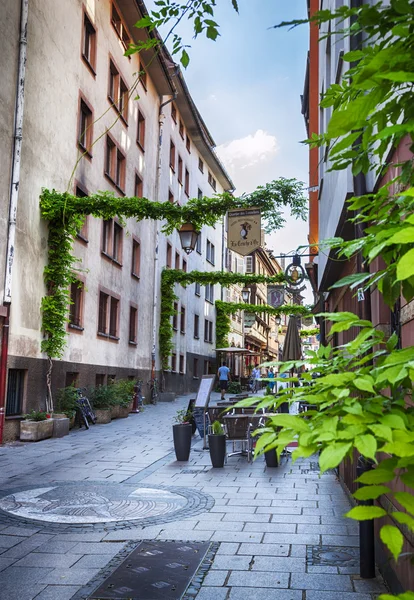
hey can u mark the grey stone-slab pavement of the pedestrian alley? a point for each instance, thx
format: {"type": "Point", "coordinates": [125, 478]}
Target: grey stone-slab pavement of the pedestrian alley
{"type": "Point", "coordinates": [274, 528]}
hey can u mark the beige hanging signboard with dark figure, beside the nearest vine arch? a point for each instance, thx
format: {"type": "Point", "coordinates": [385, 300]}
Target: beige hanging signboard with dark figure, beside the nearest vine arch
{"type": "Point", "coordinates": [244, 233]}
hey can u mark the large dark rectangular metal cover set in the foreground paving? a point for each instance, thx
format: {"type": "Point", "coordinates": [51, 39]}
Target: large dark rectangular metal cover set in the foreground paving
{"type": "Point", "coordinates": [154, 571]}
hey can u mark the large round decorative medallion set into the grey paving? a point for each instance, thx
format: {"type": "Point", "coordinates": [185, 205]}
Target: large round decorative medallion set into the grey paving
{"type": "Point", "coordinates": [99, 503]}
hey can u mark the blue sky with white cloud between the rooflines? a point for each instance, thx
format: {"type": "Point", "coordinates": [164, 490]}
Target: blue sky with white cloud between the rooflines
{"type": "Point", "coordinates": [247, 87]}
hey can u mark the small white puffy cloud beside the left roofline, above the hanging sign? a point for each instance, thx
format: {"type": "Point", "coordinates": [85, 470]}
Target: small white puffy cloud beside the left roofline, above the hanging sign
{"type": "Point", "coordinates": [248, 151]}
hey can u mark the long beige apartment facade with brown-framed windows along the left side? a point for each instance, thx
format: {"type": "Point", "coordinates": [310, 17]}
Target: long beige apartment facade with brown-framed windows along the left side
{"type": "Point", "coordinates": [80, 99]}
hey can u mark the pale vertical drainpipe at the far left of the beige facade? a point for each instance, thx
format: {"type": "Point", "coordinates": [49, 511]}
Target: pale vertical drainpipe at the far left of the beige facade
{"type": "Point", "coordinates": [13, 201]}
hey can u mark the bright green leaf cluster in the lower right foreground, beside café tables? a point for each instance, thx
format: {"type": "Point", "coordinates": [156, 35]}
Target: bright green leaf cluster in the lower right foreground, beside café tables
{"type": "Point", "coordinates": [357, 397]}
